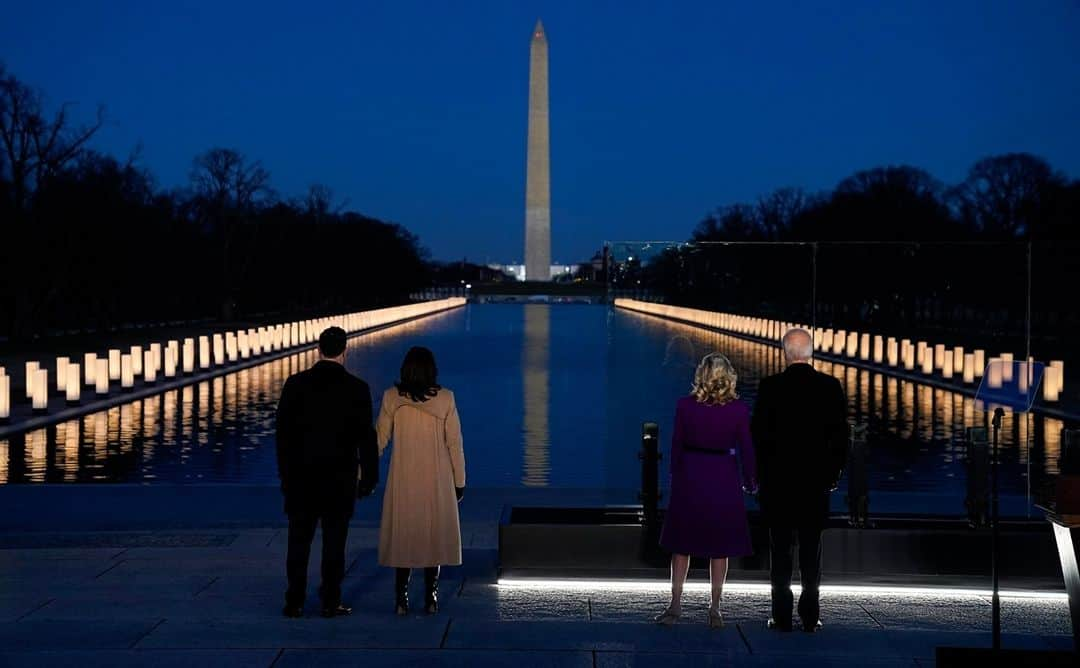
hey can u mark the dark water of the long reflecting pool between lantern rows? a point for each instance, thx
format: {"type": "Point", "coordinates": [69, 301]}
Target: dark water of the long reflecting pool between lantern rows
{"type": "Point", "coordinates": [551, 397]}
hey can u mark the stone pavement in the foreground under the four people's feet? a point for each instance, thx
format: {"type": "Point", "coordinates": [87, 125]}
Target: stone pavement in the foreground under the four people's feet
{"type": "Point", "coordinates": [213, 598]}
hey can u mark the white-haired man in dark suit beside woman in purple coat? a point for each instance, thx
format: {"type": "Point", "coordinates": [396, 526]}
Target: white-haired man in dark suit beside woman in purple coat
{"type": "Point", "coordinates": [801, 430]}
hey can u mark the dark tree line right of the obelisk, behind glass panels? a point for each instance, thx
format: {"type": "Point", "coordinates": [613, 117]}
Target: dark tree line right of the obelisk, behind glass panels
{"type": "Point", "coordinates": [895, 250]}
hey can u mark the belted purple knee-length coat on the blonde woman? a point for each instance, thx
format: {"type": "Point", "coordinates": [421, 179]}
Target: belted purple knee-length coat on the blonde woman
{"type": "Point", "coordinates": [707, 516]}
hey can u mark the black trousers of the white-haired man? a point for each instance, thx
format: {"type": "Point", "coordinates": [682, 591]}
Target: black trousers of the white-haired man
{"type": "Point", "coordinates": [782, 554]}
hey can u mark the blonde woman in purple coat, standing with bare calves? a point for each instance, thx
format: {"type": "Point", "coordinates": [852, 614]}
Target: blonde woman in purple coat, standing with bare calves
{"type": "Point", "coordinates": [707, 516]}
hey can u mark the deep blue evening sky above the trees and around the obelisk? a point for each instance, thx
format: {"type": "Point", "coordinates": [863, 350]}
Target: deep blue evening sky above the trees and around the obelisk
{"type": "Point", "coordinates": [416, 112]}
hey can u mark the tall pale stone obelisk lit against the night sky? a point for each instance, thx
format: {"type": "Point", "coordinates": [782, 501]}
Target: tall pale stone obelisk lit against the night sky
{"type": "Point", "coordinates": [538, 166]}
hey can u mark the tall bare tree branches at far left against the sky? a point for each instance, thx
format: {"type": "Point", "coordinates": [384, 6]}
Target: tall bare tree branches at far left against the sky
{"type": "Point", "coordinates": [35, 145]}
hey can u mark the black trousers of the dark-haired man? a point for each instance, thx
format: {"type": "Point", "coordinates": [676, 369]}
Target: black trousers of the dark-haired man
{"type": "Point", "coordinates": [302, 533]}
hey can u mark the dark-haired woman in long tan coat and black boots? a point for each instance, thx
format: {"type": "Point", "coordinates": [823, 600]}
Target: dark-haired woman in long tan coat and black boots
{"type": "Point", "coordinates": [421, 526]}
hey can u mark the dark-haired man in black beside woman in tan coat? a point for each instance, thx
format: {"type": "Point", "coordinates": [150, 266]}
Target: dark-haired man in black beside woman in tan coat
{"type": "Point", "coordinates": [325, 433]}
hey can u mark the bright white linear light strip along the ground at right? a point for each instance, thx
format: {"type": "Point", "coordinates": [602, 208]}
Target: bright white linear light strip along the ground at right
{"type": "Point", "coordinates": [660, 585]}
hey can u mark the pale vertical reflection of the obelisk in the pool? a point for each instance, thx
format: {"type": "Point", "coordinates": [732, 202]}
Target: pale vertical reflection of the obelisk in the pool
{"type": "Point", "coordinates": [537, 460]}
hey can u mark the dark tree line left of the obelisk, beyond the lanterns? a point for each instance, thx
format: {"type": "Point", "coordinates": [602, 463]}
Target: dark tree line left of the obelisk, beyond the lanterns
{"type": "Point", "coordinates": [92, 242]}
